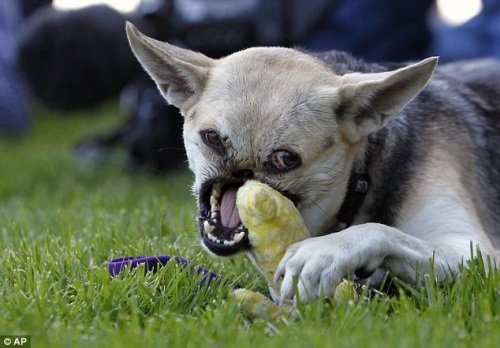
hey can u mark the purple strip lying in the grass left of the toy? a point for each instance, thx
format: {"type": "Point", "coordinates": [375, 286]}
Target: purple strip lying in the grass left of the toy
{"type": "Point", "coordinates": [152, 263]}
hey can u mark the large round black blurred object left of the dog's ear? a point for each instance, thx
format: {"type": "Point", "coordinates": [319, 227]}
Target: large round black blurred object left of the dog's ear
{"type": "Point", "coordinates": [76, 59]}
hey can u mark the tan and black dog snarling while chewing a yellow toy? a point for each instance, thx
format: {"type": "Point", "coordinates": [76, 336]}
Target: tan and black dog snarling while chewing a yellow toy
{"type": "Point", "coordinates": [393, 167]}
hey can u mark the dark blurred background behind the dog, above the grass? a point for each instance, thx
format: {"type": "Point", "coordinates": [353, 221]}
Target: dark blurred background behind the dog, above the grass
{"type": "Point", "coordinates": [70, 56]}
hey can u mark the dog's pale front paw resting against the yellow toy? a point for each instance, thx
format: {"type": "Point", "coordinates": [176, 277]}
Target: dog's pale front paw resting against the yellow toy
{"type": "Point", "coordinates": [317, 265]}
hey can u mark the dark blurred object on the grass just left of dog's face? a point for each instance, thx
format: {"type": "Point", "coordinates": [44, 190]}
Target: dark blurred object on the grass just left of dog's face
{"type": "Point", "coordinates": [151, 134]}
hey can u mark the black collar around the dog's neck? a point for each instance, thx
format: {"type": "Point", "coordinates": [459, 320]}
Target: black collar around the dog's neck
{"type": "Point", "coordinates": [359, 184]}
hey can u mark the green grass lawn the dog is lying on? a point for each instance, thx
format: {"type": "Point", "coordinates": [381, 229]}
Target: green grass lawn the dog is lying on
{"type": "Point", "coordinates": [61, 220]}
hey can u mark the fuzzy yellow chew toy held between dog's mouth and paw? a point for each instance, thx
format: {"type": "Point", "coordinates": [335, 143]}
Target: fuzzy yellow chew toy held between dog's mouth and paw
{"type": "Point", "coordinates": [273, 224]}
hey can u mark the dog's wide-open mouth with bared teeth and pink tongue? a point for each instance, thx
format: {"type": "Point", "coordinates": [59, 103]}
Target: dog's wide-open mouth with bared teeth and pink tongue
{"type": "Point", "coordinates": [220, 225]}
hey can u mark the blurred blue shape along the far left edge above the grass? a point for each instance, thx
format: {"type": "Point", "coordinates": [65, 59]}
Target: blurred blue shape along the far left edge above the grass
{"type": "Point", "coordinates": [14, 117]}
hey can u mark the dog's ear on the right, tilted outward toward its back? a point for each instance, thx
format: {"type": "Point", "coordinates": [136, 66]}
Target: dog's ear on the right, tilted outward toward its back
{"type": "Point", "coordinates": [368, 100]}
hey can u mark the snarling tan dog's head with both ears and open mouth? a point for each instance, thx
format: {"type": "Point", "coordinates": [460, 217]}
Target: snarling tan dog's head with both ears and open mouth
{"type": "Point", "coordinates": [276, 115]}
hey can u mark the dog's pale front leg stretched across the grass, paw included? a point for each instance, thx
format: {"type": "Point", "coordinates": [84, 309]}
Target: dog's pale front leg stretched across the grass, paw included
{"type": "Point", "coordinates": [320, 263]}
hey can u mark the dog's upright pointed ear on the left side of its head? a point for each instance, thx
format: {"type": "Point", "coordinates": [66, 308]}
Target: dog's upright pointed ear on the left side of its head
{"type": "Point", "coordinates": [180, 74]}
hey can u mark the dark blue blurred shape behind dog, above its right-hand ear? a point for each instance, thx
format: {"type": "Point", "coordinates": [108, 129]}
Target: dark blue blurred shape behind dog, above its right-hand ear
{"type": "Point", "coordinates": [381, 30]}
